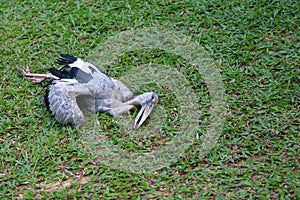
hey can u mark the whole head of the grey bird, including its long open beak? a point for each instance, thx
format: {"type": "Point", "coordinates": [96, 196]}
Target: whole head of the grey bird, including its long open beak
{"type": "Point", "coordinates": [148, 101]}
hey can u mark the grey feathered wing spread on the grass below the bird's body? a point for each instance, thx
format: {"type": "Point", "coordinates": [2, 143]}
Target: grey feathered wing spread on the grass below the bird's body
{"type": "Point", "coordinates": [63, 101]}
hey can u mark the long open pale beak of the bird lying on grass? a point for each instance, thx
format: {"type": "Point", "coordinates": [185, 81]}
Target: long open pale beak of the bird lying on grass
{"type": "Point", "coordinates": [145, 111]}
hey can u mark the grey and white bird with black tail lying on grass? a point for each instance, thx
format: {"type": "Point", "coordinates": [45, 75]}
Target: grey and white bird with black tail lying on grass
{"type": "Point", "coordinates": [78, 85]}
